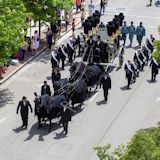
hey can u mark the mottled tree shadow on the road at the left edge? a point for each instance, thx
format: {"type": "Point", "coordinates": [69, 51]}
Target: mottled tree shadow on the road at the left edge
{"type": "Point", "coordinates": [6, 97]}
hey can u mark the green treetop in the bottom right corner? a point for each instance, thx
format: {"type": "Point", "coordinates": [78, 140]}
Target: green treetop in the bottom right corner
{"type": "Point", "coordinates": [145, 145]}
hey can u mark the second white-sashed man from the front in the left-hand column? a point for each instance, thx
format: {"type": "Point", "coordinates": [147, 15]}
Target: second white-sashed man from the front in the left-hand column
{"type": "Point", "coordinates": [62, 54]}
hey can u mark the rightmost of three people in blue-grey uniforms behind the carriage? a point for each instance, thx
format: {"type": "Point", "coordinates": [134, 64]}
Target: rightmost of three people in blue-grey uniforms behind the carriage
{"type": "Point", "coordinates": [140, 32]}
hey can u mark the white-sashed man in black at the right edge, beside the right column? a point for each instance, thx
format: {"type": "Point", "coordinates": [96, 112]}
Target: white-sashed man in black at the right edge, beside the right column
{"type": "Point", "coordinates": [154, 69]}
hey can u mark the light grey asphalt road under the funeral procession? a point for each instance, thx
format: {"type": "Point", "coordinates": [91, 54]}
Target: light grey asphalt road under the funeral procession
{"type": "Point", "coordinates": [98, 123]}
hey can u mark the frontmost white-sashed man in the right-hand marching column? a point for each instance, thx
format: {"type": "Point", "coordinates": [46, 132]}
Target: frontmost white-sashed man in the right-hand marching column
{"type": "Point", "coordinates": [129, 72]}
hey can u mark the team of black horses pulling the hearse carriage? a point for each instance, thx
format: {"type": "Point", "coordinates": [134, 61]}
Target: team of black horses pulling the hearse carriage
{"type": "Point", "coordinates": [74, 90]}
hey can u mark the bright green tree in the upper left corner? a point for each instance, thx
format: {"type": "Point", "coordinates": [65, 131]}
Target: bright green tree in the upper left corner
{"type": "Point", "coordinates": [12, 25]}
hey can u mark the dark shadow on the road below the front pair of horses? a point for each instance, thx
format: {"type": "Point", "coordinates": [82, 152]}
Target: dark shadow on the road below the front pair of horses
{"type": "Point", "coordinates": [41, 132]}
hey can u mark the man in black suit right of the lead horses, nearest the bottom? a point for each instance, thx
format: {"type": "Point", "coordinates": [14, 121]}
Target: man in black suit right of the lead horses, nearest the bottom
{"type": "Point", "coordinates": [65, 118]}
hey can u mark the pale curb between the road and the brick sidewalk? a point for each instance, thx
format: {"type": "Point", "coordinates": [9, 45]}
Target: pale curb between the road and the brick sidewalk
{"type": "Point", "coordinates": [31, 58]}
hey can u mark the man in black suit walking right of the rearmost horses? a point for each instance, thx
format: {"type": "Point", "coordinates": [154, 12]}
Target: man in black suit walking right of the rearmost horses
{"type": "Point", "coordinates": [106, 83]}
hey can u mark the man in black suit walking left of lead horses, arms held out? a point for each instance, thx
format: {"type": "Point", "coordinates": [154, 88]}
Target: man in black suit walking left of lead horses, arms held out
{"type": "Point", "coordinates": [23, 106]}
